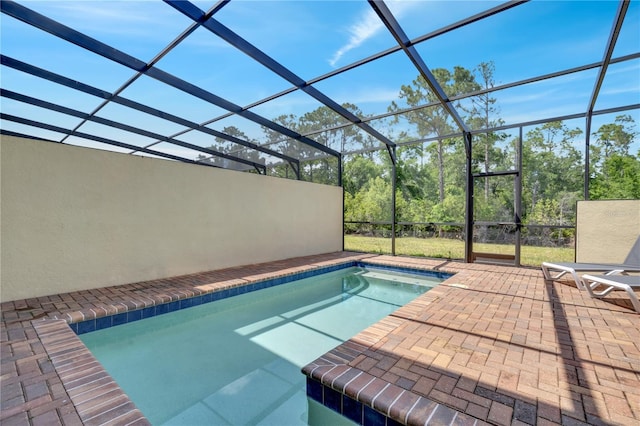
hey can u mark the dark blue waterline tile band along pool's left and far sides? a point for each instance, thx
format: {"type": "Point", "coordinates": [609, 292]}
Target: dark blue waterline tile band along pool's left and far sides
{"type": "Point", "coordinates": [100, 323]}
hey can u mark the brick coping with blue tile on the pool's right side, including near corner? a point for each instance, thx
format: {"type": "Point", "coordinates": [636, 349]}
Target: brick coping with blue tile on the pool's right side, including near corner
{"type": "Point", "coordinates": [334, 381]}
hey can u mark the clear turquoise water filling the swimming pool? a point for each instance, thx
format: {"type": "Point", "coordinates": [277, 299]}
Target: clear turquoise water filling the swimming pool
{"type": "Point", "coordinates": [237, 361]}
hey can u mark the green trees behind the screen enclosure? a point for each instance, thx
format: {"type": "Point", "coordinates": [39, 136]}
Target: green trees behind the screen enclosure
{"type": "Point", "coordinates": [430, 175]}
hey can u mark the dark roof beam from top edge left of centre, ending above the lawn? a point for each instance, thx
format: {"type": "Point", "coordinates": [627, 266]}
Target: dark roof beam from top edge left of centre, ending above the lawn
{"type": "Point", "coordinates": [225, 33]}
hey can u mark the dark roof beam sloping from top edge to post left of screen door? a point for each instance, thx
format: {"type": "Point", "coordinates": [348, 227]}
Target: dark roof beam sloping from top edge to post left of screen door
{"type": "Point", "coordinates": [398, 33]}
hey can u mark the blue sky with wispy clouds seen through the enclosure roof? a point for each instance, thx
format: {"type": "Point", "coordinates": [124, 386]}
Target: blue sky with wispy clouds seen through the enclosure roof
{"type": "Point", "coordinates": [313, 38]}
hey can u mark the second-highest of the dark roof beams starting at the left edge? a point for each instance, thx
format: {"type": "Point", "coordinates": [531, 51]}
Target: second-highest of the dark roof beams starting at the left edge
{"type": "Point", "coordinates": [64, 81]}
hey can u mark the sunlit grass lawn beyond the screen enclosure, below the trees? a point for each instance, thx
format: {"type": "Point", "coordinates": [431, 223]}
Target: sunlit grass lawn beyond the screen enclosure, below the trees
{"type": "Point", "coordinates": [453, 249]}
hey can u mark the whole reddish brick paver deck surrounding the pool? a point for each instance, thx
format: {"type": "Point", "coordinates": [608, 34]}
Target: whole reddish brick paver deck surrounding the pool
{"type": "Point", "coordinates": [491, 344]}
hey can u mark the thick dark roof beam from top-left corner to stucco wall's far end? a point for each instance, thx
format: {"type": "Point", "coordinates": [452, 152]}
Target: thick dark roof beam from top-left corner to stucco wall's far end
{"type": "Point", "coordinates": [57, 29]}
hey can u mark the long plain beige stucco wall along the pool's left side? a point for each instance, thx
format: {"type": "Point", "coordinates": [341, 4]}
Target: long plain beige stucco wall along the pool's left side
{"type": "Point", "coordinates": [77, 218]}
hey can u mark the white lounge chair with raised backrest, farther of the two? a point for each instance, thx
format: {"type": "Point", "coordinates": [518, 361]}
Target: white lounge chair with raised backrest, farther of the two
{"type": "Point", "coordinates": [630, 264]}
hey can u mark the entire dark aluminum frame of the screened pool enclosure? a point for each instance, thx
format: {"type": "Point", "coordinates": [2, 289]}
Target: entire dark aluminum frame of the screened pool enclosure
{"type": "Point", "coordinates": [206, 20]}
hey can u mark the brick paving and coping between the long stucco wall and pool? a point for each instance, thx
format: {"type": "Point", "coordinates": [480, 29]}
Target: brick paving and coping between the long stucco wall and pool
{"type": "Point", "coordinates": [49, 377]}
